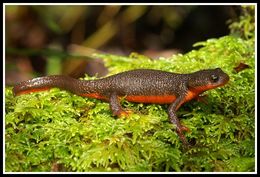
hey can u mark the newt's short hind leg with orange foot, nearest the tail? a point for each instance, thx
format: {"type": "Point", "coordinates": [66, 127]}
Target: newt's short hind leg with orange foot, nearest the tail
{"type": "Point", "coordinates": [115, 106]}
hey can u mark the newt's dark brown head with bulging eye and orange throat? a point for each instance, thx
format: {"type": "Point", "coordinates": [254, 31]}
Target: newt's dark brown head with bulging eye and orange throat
{"type": "Point", "coordinates": [204, 80]}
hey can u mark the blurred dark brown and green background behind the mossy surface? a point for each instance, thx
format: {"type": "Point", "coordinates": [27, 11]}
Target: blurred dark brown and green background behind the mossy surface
{"type": "Point", "coordinates": [43, 39]}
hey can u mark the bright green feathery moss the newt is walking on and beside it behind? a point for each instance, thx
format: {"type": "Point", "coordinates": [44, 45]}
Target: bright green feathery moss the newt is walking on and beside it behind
{"type": "Point", "coordinates": [57, 127]}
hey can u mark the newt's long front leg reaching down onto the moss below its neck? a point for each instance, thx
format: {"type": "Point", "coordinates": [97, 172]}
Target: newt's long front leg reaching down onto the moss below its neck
{"type": "Point", "coordinates": [174, 119]}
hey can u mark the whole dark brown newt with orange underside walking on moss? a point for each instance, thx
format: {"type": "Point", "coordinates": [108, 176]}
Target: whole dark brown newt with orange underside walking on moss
{"type": "Point", "coordinates": [141, 86]}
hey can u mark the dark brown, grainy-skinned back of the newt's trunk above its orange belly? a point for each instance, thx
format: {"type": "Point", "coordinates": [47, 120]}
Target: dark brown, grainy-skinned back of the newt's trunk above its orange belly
{"type": "Point", "coordinates": [143, 82]}
